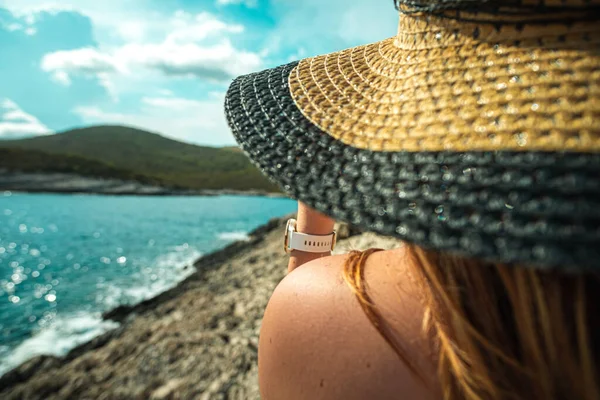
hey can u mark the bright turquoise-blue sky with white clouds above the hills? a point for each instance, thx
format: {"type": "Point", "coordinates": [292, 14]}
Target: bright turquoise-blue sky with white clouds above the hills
{"type": "Point", "coordinates": [159, 65]}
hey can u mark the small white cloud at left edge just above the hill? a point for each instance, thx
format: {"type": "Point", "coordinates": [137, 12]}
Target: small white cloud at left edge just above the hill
{"type": "Point", "coordinates": [15, 123]}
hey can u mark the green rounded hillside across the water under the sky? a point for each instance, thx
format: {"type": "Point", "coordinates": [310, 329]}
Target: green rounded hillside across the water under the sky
{"type": "Point", "coordinates": [128, 153]}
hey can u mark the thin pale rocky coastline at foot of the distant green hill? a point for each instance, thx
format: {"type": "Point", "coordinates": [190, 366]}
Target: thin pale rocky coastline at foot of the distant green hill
{"type": "Point", "coordinates": [67, 183]}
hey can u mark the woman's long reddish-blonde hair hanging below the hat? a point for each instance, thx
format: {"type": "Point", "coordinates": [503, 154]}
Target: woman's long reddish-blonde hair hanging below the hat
{"type": "Point", "coordinates": [500, 331]}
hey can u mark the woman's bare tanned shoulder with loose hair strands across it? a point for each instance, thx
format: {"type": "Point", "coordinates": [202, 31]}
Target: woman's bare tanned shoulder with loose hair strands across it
{"type": "Point", "coordinates": [316, 342]}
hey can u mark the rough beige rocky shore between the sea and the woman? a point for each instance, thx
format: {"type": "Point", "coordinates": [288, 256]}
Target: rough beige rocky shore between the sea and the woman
{"type": "Point", "coordinates": [196, 341]}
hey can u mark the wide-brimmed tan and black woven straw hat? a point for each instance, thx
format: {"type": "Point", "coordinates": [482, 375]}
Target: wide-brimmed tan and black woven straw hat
{"type": "Point", "coordinates": [475, 130]}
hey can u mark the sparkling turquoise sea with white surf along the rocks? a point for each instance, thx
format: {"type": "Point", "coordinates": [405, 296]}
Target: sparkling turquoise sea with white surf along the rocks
{"type": "Point", "coordinates": [66, 259]}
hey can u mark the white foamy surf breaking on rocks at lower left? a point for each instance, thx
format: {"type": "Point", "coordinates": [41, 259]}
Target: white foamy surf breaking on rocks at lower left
{"type": "Point", "coordinates": [65, 333]}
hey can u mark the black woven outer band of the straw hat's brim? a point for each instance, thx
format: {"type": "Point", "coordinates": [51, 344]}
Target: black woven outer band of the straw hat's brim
{"type": "Point", "coordinates": [485, 204]}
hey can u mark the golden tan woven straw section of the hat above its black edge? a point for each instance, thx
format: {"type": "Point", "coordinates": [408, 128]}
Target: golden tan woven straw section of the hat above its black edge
{"type": "Point", "coordinates": [447, 85]}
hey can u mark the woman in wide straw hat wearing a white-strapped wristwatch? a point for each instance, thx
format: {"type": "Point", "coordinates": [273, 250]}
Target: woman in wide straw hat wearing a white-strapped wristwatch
{"type": "Point", "coordinates": [473, 136]}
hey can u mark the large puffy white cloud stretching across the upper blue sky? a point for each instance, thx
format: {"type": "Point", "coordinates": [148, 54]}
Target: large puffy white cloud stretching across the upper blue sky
{"type": "Point", "coordinates": [178, 54]}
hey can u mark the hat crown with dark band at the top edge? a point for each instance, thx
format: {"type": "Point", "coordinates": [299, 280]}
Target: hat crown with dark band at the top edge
{"type": "Point", "coordinates": [428, 24]}
